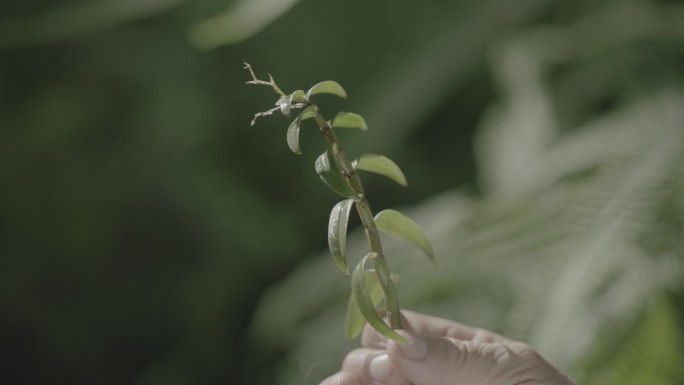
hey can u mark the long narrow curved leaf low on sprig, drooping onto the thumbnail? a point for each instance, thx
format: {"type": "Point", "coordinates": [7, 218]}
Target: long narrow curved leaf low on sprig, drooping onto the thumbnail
{"type": "Point", "coordinates": [362, 296]}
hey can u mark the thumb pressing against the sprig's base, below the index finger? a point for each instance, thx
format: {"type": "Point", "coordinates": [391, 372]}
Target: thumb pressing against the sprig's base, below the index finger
{"type": "Point", "coordinates": [448, 361]}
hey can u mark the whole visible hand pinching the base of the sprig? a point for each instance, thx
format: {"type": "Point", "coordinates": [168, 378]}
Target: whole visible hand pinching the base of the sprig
{"type": "Point", "coordinates": [444, 352]}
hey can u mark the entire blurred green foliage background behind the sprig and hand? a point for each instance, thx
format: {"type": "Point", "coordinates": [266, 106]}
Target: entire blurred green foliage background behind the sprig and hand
{"type": "Point", "coordinates": [149, 235]}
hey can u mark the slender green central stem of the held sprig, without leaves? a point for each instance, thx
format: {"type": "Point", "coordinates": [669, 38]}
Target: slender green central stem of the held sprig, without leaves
{"type": "Point", "coordinates": [367, 220]}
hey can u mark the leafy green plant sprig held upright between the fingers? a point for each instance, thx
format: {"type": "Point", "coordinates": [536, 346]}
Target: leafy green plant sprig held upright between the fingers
{"type": "Point", "coordinates": [373, 291]}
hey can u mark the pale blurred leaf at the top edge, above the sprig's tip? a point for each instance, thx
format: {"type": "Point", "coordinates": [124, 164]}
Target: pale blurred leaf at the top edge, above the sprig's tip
{"type": "Point", "coordinates": [239, 23]}
